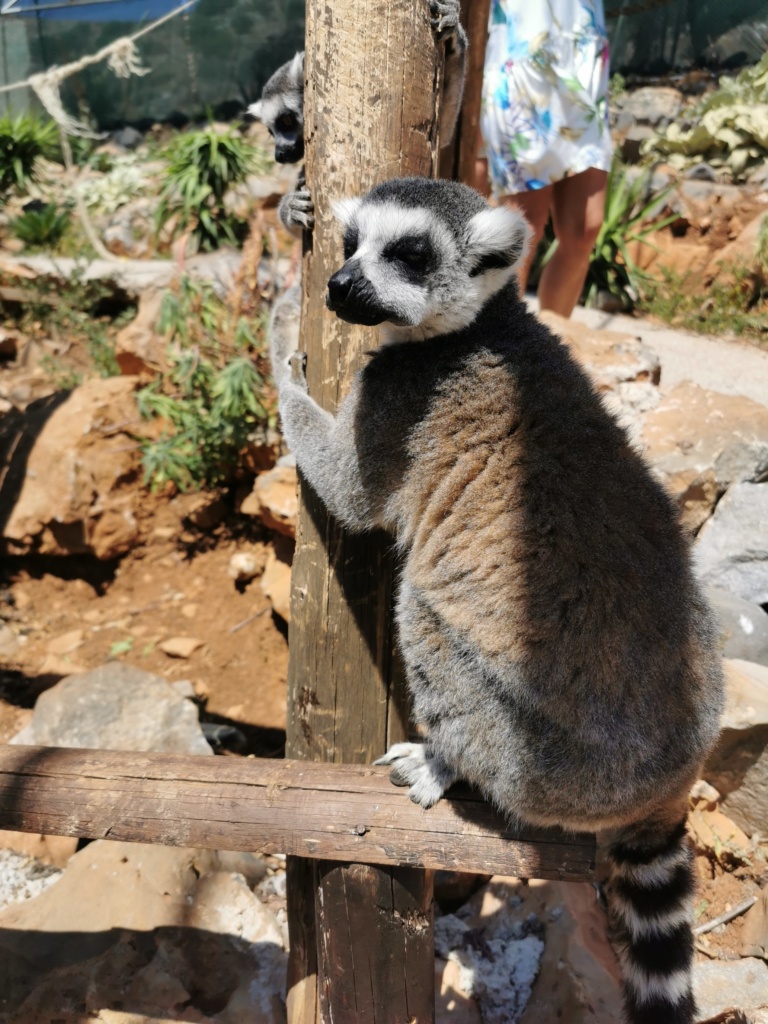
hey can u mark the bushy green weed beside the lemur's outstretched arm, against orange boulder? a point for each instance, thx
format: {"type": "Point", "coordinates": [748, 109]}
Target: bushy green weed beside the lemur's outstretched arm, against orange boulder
{"type": "Point", "coordinates": [211, 397]}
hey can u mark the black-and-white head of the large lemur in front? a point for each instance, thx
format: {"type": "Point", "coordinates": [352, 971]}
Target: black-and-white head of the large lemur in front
{"type": "Point", "coordinates": [422, 273]}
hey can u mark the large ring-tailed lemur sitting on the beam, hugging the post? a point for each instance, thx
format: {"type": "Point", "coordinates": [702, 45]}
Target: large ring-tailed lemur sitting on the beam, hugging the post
{"type": "Point", "coordinates": [559, 651]}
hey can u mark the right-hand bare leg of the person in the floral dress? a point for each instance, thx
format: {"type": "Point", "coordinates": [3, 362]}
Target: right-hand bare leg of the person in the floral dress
{"type": "Point", "coordinates": [578, 207]}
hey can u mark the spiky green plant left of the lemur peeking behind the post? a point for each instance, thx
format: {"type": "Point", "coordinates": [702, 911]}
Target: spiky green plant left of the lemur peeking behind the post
{"type": "Point", "coordinates": [202, 167]}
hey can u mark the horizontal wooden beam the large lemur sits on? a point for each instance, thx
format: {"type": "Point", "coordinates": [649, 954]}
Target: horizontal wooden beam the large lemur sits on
{"type": "Point", "coordinates": [328, 812]}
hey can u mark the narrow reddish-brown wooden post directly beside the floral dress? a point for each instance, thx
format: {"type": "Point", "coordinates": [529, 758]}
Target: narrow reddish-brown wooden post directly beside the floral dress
{"type": "Point", "coordinates": [458, 160]}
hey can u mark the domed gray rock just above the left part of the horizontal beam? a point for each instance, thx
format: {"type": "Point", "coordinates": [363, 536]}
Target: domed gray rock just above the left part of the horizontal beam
{"type": "Point", "coordinates": [118, 708]}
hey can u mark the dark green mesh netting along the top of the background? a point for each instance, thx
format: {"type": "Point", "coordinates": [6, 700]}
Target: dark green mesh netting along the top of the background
{"type": "Point", "coordinates": [218, 58]}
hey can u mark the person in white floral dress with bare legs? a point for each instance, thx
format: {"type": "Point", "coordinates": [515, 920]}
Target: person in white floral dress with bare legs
{"type": "Point", "coordinates": [545, 129]}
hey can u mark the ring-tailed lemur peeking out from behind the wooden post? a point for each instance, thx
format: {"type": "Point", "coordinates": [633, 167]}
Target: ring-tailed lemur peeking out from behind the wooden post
{"type": "Point", "coordinates": [282, 110]}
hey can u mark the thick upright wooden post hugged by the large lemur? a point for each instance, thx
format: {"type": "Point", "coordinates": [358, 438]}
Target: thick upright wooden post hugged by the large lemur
{"type": "Point", "coordinates": [373, 77]}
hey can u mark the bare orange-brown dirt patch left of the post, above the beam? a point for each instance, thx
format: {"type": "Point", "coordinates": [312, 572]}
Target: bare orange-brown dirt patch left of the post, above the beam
{"type": "Point", "coordinates": [75, 613]}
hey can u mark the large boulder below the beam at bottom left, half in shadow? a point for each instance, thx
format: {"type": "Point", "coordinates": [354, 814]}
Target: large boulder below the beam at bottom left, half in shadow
{"type": "Point", "coordinates": [153, 933]}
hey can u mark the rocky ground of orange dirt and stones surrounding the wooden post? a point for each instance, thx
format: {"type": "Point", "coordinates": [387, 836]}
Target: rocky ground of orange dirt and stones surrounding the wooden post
{"type": "Point", "coordinates": [133, 620]}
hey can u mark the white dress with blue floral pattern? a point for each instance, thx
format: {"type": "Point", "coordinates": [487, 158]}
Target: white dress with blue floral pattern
{"type": "Point", "coordinates": [545, 93]}
